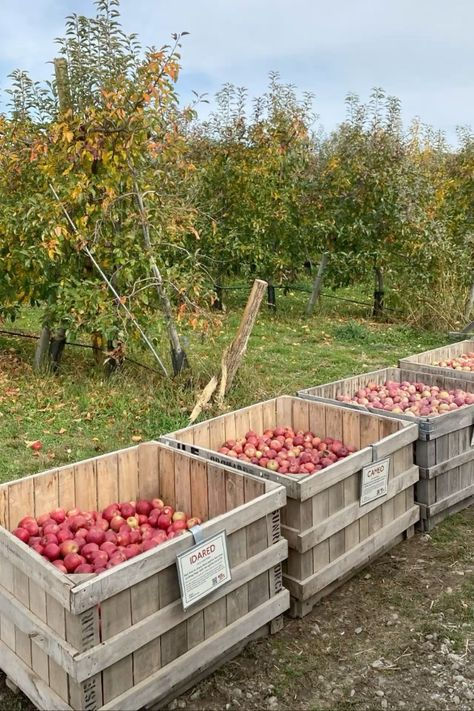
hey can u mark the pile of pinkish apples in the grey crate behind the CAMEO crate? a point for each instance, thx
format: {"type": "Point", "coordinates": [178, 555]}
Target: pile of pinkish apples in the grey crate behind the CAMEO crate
{"type": "Point", "coordinates": [412, 399]}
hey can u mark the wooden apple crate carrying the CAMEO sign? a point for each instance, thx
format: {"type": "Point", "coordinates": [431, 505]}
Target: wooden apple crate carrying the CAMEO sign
{"type": "Point", "coordinates": [330, 535]}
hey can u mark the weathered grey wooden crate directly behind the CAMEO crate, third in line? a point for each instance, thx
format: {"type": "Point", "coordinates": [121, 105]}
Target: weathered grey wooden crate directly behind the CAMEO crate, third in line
{"type": "Point", "coordinates": [444, 450]}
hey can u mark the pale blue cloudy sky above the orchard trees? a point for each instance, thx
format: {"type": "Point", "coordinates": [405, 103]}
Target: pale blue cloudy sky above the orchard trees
{"type": "Point", "coordinates": [420, 50]}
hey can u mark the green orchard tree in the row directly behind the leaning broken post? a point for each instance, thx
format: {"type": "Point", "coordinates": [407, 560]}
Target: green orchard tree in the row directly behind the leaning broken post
{"type": "Point", "coordinates": [253, 175]}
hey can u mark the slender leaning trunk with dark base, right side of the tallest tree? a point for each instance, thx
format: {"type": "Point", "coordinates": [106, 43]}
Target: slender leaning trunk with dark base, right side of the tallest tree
{"type": "Point", "coordinates": [179, 359]}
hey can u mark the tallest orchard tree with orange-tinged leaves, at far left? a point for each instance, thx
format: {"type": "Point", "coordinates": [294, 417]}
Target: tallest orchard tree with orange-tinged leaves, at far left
{"type": "Point", "coordinates": [107, 134]}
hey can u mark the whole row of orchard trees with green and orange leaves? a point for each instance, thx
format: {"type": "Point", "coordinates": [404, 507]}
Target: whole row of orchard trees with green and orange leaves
{"type": "Point", "coordinates": [118, 207]}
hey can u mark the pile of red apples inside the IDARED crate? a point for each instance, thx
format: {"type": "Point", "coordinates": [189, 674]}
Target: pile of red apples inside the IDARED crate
{"type": "Point", "coordinates": [78, 541]}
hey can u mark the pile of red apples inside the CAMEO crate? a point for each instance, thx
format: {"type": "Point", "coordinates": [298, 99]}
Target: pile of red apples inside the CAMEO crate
{"type": "Point", "coordinates": [285, 451]}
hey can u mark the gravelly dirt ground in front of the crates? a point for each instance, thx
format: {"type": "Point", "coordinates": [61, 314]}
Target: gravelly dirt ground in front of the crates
{"type": "Point", "coordinates": [398, 636]}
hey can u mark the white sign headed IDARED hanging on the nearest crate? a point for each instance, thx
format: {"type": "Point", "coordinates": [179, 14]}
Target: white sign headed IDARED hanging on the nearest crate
{"type": "Point", "coordinates": [203, 568]}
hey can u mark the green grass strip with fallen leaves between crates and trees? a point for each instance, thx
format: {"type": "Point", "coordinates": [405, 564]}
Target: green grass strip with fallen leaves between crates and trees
{"type": "Point", "coordinates": [80, 413]}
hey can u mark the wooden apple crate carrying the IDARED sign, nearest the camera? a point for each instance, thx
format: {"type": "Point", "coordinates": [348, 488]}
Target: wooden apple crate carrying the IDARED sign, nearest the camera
{"type": "Point", "coordinates": [121, 639]}
